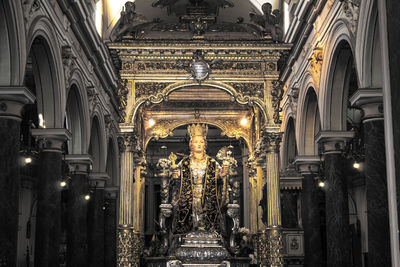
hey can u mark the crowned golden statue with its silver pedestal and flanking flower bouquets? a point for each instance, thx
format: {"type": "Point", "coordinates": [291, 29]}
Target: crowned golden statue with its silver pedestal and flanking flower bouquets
{"type": "Point", "coordinates": [195, 201]}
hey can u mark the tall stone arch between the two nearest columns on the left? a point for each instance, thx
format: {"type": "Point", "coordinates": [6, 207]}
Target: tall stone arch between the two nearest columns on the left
{"type": "Point", "coordinates": [46, 59]}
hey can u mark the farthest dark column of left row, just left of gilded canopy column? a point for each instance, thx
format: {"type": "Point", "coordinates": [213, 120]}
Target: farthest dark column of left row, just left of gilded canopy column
{"type": "Point", "coordinates": [110, 221]}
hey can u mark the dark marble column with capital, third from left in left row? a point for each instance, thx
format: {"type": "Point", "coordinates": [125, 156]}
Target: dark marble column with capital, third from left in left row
{"type": "Point", "coordinates": [77, 241]}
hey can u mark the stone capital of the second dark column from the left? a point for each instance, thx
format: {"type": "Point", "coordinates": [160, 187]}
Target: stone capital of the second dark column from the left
{"type": "Point", "coordinates": [51, 139]}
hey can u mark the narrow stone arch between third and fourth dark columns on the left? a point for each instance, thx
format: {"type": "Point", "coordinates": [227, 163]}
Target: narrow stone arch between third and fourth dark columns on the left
{"type": "Point", "coordinates": [98, 144]}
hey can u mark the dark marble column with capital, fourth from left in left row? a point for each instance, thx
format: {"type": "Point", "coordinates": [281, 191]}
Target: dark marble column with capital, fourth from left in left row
{"type": "Point", "coordinates": [96, 207]}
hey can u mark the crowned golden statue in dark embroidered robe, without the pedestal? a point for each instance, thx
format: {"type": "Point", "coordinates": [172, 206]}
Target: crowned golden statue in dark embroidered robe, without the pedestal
{"type": "Point", "coordinates": [199, 187]}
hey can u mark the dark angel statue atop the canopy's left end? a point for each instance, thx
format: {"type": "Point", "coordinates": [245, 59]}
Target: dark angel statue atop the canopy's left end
{"type": "Point", "coordinates": [128, 21]}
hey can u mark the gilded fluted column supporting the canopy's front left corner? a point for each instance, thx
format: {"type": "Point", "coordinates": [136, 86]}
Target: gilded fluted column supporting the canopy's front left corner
{"type": "Point", "coordinates": [126, 232]}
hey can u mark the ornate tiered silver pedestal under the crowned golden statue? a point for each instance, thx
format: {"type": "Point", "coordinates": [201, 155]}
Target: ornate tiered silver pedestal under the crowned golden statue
{"type": "Point", "coordinates": [202, 248]}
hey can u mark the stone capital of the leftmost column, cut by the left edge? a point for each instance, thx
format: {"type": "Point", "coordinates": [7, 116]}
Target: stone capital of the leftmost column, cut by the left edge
{"type": "Point", "coordinates": [13, 99]}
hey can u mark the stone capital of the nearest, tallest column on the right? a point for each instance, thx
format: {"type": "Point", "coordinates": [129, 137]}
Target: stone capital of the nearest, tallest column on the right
{"type": "Point", "coordinates": [370, 100]}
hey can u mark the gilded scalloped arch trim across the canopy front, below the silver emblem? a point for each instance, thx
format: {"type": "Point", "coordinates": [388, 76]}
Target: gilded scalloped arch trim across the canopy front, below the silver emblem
{"type": "Point", "coordinates": [162, 96]}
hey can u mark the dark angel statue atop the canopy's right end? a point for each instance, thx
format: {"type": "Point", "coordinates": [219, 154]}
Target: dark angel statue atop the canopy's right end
{"type": "Point", "coordinates": [269, 22]}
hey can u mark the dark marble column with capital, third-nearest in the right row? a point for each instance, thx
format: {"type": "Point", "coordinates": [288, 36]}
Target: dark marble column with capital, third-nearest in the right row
{"type": "Point", "coordinates": [310, 212]}
